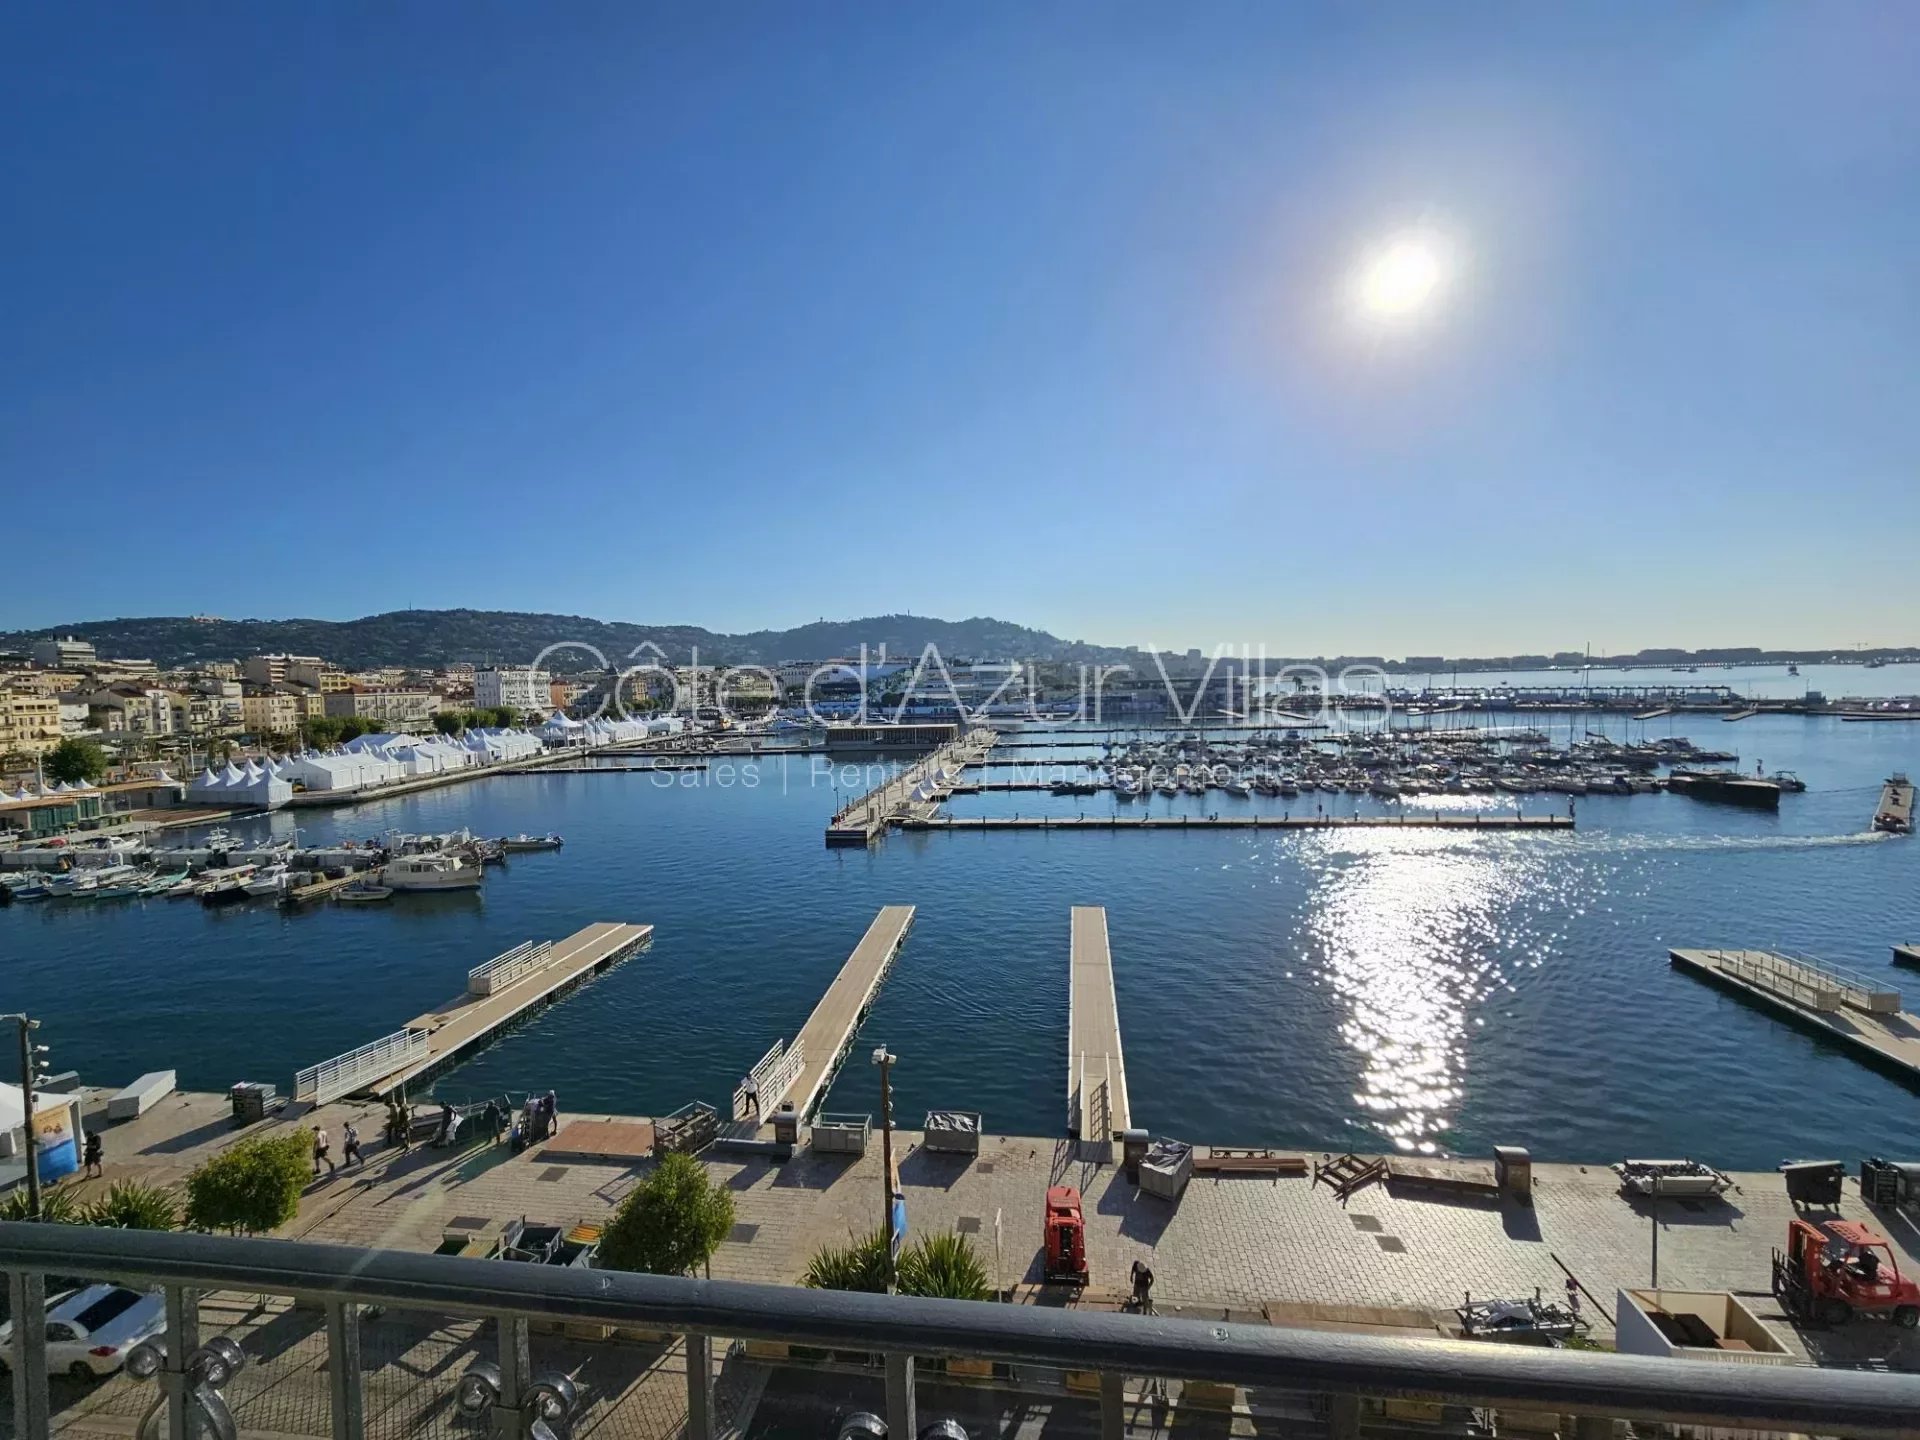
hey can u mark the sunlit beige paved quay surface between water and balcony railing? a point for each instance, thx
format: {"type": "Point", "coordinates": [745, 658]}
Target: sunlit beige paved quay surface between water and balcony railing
{"type": "Point", "coordinates": [1247, 1249]}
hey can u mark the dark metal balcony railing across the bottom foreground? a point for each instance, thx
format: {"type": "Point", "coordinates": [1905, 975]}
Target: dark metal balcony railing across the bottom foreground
{"type": "Point", "coordinates": [1339, 1372]}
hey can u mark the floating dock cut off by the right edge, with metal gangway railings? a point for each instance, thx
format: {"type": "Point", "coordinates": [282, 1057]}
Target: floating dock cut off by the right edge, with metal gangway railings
{"type": "Point", "coordinates": [1840, 1005]}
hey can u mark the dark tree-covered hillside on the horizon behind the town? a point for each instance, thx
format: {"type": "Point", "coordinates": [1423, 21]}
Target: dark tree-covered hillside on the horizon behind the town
{"type": "Point", "coordinates": [427, 638]}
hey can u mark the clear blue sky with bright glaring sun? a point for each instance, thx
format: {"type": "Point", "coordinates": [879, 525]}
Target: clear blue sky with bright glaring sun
{"type": "Point", "coordinates": [748, 316]}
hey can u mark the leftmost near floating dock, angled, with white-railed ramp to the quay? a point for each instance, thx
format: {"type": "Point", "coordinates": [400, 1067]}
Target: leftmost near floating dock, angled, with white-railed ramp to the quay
{"type": "Point", "coordinates": [498, 994]}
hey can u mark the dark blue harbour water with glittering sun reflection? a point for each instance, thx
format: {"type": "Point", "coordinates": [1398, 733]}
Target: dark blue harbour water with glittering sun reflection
{"type": "Point", "coordinates": [1356, 990]}
